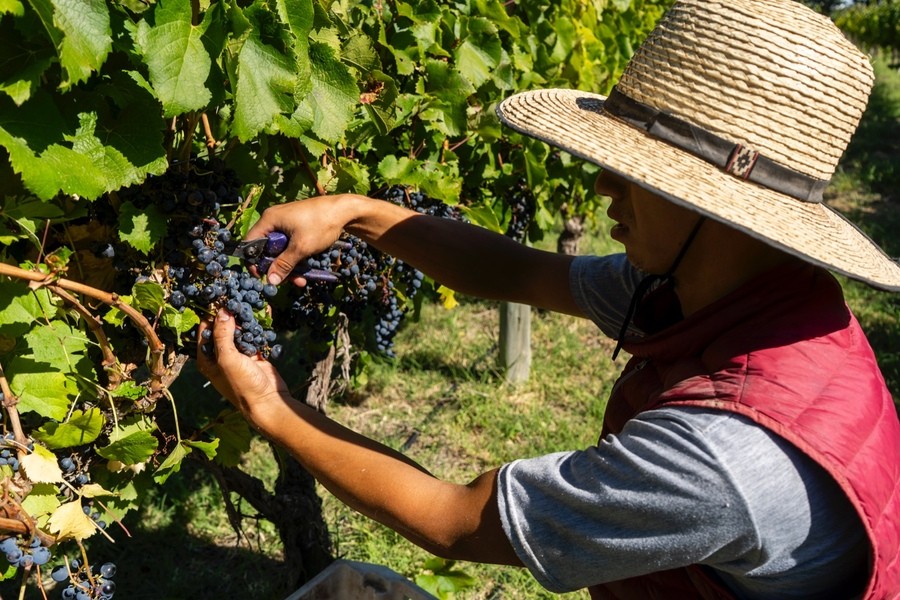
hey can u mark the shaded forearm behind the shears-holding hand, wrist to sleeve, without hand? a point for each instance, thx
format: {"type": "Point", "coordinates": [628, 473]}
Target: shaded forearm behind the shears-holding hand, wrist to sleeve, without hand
{"type": "Point", "coordinates": [464, 257]}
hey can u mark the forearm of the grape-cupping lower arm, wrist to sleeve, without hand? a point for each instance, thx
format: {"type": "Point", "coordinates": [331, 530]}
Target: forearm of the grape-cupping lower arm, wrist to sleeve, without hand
{"type": "Point", "coordinates": [449, 520]}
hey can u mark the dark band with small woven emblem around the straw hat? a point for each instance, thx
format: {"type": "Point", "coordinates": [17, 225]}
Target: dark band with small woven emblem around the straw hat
{"type": "Point", "coordinates": [736, 159]}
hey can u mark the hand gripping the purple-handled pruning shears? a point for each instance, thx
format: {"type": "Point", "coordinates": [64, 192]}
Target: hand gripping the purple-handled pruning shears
{"type": "Point", "coordinates": [312, 225]}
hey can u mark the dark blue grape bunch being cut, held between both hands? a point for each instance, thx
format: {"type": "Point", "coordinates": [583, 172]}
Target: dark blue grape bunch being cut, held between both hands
{"type": "Point", "coordinates": [199, 273]}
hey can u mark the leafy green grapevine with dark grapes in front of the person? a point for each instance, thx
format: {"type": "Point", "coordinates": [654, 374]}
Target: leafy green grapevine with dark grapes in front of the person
{"type": "Point", "coordinates": [140, 140]}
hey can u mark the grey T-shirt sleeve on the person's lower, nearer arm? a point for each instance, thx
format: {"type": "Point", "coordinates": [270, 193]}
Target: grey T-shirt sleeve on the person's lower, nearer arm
{"type": "Point", "coordinates": [654, 497]}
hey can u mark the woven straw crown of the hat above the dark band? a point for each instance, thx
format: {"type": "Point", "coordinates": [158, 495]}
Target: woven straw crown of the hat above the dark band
{"type": "Point", "coordinates": [769, 74]}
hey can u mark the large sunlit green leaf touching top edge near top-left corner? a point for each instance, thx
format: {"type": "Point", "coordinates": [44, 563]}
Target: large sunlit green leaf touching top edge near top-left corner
{"type": "Point", "coordinates": [80, 31]}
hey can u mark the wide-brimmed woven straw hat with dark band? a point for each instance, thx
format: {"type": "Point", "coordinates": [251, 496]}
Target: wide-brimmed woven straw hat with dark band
{"type": "Point", "coordinates": [737, 109]}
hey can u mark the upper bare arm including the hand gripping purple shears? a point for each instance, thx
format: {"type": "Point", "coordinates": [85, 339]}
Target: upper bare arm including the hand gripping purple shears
{"type": "Point", "coordinates": [463, 257]}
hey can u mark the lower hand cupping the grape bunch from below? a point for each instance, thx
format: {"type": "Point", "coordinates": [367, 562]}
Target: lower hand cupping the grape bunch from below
{"type": "Point", "coordinates": [250, 383]}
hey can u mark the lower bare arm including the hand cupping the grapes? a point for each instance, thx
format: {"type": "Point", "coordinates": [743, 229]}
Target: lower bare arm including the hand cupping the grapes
{"type": "Point", "coordinates": [447, 519]}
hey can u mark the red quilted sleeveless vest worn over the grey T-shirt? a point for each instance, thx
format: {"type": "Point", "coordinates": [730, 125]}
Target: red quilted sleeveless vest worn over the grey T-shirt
{"type": "Point", "coordinates": [785, 351]}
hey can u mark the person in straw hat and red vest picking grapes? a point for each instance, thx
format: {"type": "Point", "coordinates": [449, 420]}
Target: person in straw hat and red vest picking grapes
{"type": "Point", "coordinates": [750, 448]}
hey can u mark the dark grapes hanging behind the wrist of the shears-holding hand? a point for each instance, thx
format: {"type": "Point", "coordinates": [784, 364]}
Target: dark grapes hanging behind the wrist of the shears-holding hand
{"type": "Point", "coordinates": [372, 288]}
